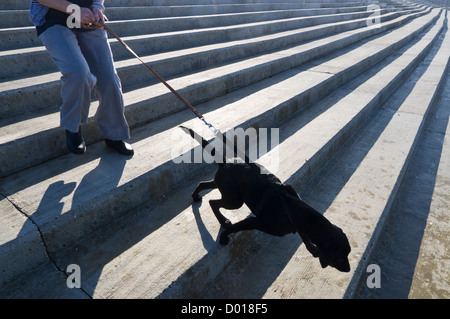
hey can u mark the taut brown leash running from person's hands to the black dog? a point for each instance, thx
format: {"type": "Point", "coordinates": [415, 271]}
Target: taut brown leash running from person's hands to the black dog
{"type": "Point", "coordinates": [216, 131]}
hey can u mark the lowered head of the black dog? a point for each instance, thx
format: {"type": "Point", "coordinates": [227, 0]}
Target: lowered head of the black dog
{"type": "Point", "coordinates": [335, 251]}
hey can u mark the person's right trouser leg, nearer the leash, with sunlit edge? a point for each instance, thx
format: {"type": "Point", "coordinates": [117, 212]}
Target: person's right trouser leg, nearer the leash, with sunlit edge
{"type": "Point", "coordinates": [110, 113]}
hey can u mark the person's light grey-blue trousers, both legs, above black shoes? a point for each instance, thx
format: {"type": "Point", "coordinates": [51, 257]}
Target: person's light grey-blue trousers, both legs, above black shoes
{"type": "Point", "coordinates": [86, 63]}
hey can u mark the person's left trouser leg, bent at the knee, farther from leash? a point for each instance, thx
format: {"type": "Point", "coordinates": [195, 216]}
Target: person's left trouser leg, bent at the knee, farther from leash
{"type": "Point", "coordinates": [77, 79]}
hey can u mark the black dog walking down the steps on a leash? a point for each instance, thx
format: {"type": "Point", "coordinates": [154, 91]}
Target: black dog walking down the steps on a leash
{"type": "Point", "coordinates": [277, 209]}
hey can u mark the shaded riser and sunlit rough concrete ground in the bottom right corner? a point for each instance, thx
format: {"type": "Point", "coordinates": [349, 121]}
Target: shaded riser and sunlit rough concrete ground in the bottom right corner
{"type": "Point", "coordinates": [418, 221]}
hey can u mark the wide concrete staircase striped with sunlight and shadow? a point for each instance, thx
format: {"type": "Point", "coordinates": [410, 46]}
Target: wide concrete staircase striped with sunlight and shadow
{"type": "Point", "coordinates": [358, 92]}
